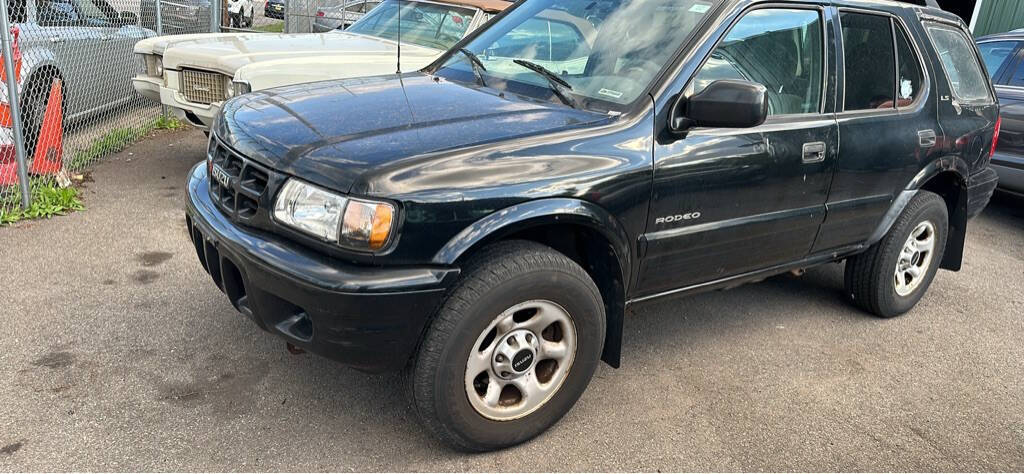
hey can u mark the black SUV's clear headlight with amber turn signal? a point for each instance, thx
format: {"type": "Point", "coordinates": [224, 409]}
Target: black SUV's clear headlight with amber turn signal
{"type": "Point", "coordinates": [358, 225]}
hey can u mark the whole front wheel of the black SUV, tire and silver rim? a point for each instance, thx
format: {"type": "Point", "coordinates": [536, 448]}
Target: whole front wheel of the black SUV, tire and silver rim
{"type": "Point", "coordinates": [511, 351]}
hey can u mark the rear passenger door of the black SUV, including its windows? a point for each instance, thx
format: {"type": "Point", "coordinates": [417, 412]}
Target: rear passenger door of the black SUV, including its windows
{"type": "Point", "coordinates": [887, 124]}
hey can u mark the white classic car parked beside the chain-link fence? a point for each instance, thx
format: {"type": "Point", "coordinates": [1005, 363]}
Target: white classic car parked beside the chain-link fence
{"type": "Point", "coordinates": [195, 74]}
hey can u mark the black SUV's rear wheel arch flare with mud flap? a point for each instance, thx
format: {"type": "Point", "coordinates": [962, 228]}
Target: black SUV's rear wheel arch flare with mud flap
{"type": "Point", "coordinates": [954, 256]}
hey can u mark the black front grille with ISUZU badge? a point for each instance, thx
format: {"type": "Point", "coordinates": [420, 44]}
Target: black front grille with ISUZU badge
{"type": "Point", "coordinates": [244, 183]}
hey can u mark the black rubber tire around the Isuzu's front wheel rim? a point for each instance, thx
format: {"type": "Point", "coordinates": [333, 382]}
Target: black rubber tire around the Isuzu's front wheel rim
{"type": "Point", "coordinates": [501, 277]}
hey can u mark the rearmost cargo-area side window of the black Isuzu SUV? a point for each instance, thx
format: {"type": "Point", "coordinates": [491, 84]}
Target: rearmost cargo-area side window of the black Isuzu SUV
{"type": "Point", "coordinates": [960, 63]}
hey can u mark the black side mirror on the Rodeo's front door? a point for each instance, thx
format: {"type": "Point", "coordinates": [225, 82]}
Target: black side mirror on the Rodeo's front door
{"type": "Point", "coordinates": [728, 104]}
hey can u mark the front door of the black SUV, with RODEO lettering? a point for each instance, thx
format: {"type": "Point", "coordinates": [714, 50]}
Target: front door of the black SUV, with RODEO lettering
{"type": "Point", "coordinates": [732, 201]}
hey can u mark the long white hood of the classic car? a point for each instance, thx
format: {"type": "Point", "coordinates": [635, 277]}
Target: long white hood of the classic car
{"type": "Point", "coordinates": [229, 54]}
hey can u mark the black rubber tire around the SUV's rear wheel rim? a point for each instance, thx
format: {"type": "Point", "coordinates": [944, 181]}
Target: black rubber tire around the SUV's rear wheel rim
{"type": "Point", "coordinates": [871, 277]}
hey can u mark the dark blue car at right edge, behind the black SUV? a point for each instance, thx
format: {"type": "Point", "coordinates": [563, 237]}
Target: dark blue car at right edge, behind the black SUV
{"type": "Point", "coordinates": [1004, 55]}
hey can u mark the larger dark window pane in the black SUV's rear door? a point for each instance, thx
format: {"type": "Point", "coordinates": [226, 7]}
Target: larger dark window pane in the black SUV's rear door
{"type": "Point", "coordinates": [870, 62]}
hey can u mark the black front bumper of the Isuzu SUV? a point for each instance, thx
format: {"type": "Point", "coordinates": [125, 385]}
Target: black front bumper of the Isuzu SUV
{"type": "Point", "coordinates": [368, 318]}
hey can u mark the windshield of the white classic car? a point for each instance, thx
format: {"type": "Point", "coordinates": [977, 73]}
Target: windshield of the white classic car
{"type": "Point", "coordinates": [432, 25]}
